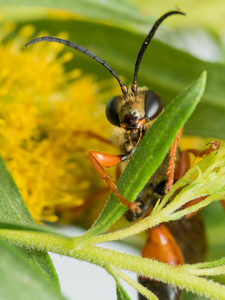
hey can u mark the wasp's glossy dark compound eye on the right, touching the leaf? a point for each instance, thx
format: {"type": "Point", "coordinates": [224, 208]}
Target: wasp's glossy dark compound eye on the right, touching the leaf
{"type": "Point", "coordinates": [153, 105]}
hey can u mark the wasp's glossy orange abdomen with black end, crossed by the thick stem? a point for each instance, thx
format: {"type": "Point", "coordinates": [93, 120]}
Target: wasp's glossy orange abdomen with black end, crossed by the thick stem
{"type": "Point", "coordinates": [162, 247]}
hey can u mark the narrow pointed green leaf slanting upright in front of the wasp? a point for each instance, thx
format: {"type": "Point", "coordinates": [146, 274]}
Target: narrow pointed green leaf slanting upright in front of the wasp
{"type": "Point", "coordinates": [149, 154]}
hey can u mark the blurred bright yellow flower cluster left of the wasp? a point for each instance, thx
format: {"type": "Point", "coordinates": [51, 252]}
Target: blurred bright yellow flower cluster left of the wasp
{"type": "Point", "coordinates": [49, 121]}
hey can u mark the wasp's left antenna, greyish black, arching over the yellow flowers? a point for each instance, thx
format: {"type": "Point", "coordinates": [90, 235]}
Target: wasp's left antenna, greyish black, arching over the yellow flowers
{"type": "Point", "coordinates": [82, 50]}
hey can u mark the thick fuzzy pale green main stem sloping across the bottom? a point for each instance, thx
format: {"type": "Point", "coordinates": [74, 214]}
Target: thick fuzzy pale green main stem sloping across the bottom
{"type": "Point", "coordinates": [99, 256]}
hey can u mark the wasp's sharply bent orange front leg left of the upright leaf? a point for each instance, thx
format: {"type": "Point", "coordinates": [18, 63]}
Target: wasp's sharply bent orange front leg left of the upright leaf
{"type": "Point", "coordinates": [100, 161]}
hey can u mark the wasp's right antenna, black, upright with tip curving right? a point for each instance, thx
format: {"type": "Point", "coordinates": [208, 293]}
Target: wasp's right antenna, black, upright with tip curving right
{"type": "Point", "coordinates": [146, 43]}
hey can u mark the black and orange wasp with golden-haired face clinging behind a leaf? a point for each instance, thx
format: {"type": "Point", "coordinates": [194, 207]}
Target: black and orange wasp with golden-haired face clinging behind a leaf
{"type": "Point", "coordinates": [133, 113]}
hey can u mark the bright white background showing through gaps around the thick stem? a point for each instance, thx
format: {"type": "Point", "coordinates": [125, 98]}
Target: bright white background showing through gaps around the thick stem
{"type": "Point", "coordinates": [84, 281]}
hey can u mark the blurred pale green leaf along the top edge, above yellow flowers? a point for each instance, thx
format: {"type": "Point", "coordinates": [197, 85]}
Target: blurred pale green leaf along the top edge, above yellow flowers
{"type": "Point", "coordinates": [125, 13]}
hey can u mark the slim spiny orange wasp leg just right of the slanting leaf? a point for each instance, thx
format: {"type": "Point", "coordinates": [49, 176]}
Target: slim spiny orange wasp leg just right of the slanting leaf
{"type": "Point", "coordinates": [173, 151]}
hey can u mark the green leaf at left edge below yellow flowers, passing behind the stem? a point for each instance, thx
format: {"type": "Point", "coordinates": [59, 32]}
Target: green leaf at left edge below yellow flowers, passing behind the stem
{"type": "Point", "coordinates": [14, 210]}
